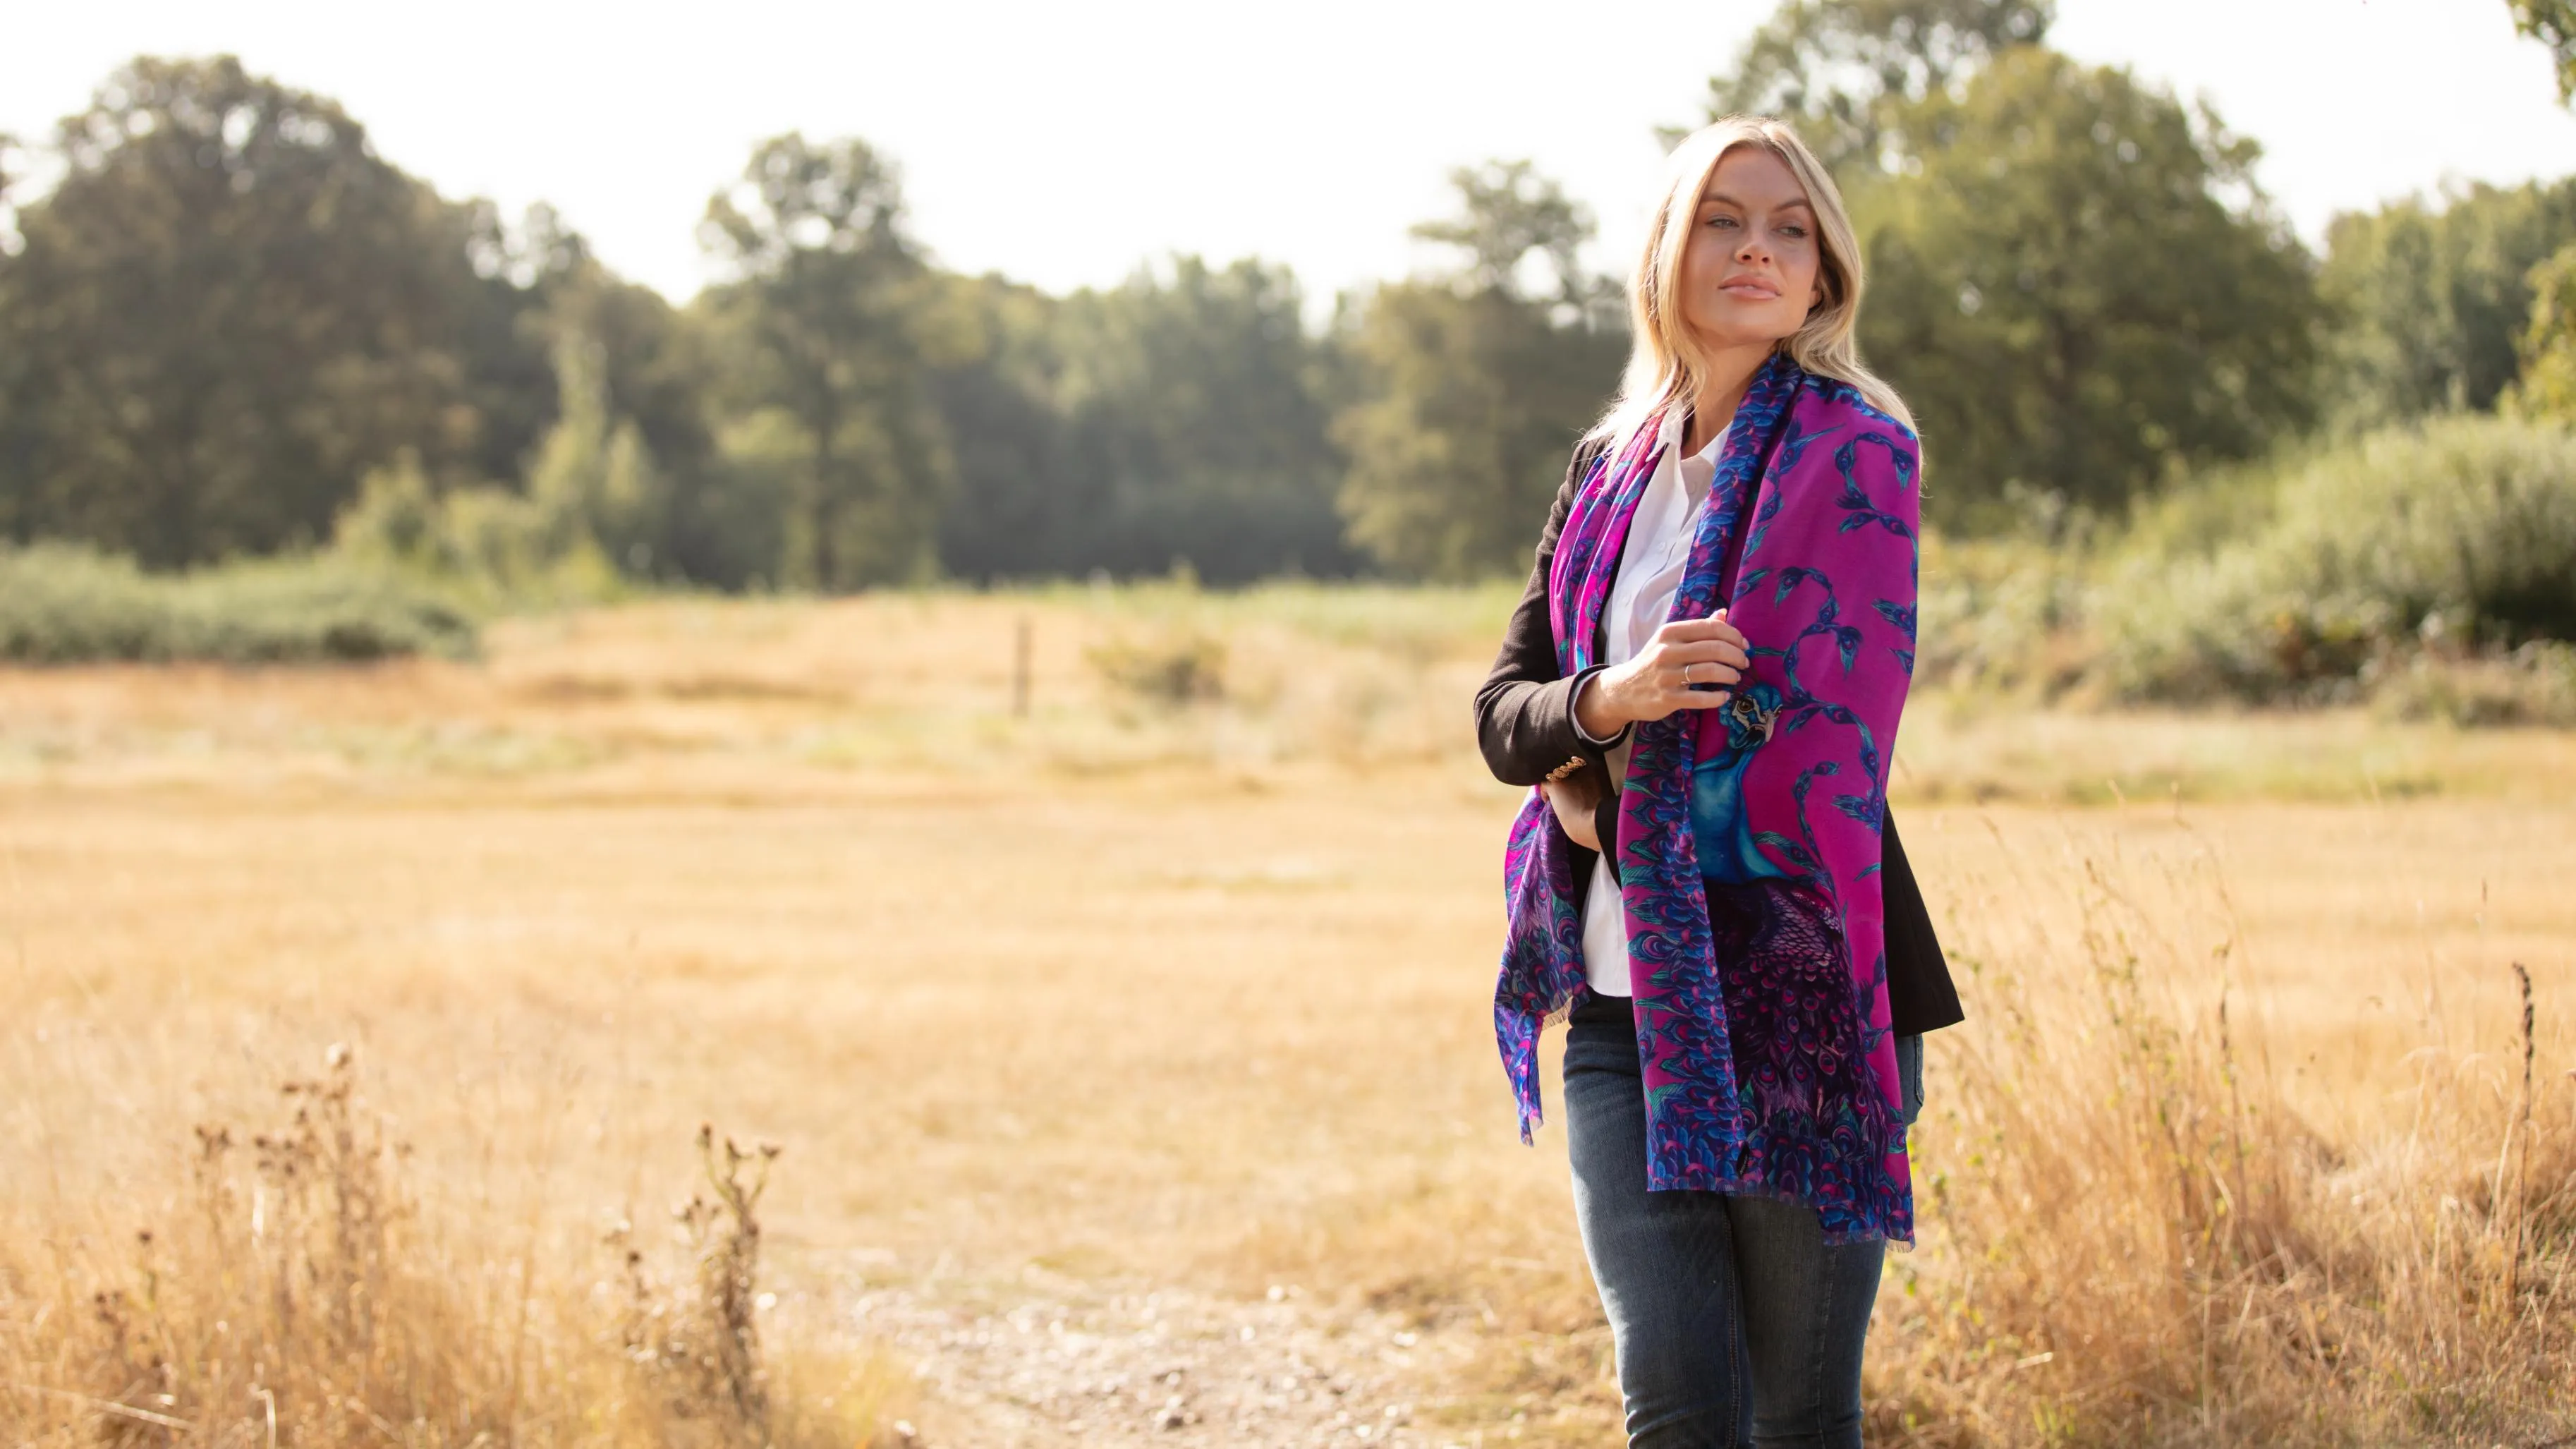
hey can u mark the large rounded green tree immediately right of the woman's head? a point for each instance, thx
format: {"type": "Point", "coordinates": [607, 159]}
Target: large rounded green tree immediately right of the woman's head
{"type": "Point", "coordinates": [2083, 290]}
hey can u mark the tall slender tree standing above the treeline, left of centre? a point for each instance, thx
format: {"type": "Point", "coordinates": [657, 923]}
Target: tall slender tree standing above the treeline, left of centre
{"type": "Point", "coordinates": [826, 331]}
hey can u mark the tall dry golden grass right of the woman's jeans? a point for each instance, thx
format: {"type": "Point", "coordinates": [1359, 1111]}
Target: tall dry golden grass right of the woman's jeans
{"type": "Point", "coordinates": [2137, 1239]}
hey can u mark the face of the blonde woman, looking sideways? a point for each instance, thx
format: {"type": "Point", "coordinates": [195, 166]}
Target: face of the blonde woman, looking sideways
{"type": "Point", "coordinates": [1750, 262]}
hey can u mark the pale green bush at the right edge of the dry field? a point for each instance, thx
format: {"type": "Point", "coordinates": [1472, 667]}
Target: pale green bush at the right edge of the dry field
{"type": "Point", "coordinates": [2454, 538]}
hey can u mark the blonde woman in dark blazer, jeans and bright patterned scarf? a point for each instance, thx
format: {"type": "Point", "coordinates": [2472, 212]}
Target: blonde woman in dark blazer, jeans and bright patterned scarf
{"type": "Point", "coordinates": [1707, 677]}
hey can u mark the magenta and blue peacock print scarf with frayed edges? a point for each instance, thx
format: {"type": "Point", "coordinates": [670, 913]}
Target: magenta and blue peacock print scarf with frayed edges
{"type": "Point", "coordinates": [1748, 837]}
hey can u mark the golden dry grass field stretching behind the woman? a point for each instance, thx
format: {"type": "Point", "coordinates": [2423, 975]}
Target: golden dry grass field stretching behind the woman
{"type": "Point", "coordinates": [1130, 1061]}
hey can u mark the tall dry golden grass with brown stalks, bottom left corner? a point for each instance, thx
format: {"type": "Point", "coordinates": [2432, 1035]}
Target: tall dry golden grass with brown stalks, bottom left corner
{"type": "Point", "coordinates": [305, 1298]}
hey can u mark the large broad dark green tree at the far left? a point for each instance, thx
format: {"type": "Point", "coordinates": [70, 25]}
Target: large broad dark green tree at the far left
{"type": "Point", "coordinates": [231, 308]}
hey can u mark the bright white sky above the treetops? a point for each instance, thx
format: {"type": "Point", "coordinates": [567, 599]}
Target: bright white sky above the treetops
{"type": "Point", "coordinates": [1070, 143]}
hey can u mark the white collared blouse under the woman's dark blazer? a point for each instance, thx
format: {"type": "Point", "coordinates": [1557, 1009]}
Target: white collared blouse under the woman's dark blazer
{"type": "Point", "coordinates": [1650, 574]}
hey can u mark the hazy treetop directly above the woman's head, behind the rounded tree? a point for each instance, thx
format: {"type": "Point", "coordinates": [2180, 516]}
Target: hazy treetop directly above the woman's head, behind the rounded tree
{"type": "Point", "coordinates": [1851, 71]}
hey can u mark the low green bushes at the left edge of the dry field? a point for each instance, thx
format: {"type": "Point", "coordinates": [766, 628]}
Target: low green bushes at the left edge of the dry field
{"type": "Point", "coordinates": [68, 605]}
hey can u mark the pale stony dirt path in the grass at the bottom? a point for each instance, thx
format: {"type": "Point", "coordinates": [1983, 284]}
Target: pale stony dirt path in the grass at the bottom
{"type": "Point", "coordinates": [1158, 1368]}
